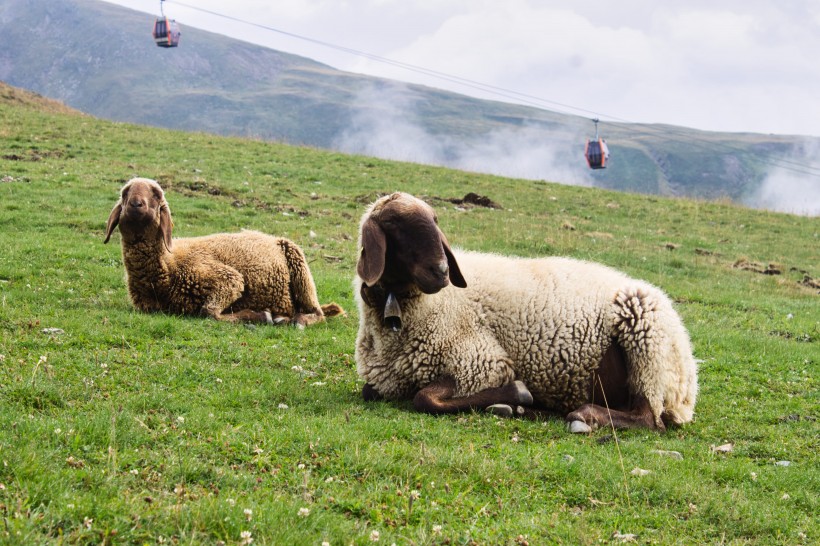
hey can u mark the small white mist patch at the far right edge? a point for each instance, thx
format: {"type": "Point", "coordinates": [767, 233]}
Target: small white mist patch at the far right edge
{"type": "Point", "coordinates": [793, 189]}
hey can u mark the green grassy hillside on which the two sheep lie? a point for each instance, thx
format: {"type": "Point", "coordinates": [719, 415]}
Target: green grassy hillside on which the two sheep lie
{"type": "Point", "coordinates": [118, 427]}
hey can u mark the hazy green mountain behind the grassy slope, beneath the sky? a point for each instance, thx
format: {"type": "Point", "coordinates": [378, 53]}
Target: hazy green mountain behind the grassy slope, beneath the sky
{"type": "Point", "coordinates": [99, 58]}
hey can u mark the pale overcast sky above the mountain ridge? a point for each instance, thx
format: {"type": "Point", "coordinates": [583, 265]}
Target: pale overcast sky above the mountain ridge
{"type": "Point", "coordinates": [733, 65]}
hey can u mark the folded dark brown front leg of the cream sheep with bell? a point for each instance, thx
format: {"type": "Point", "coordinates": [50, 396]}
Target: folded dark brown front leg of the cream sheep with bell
{"type": "Point", "coordinates": [437, 397]}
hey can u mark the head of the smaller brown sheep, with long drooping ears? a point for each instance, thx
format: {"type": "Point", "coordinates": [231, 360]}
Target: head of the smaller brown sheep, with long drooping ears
{"type": "Point", "coordinates": [142, 213]}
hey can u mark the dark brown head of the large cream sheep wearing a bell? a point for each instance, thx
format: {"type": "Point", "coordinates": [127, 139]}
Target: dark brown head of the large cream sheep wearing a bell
{"type": "Point", "coordinates": [403, 246]}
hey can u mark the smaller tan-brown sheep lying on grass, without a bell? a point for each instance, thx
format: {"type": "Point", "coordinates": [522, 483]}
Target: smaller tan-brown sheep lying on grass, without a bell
{"type": "Point", "coordinates": [247, 276]}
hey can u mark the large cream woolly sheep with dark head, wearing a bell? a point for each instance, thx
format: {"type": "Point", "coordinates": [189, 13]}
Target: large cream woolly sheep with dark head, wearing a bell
{"type": "Point", "coordinates": [457, 330]}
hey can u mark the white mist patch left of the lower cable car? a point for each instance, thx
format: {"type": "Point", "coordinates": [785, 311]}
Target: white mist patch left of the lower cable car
{"type": "Point", "coordinates": [383, 127]}
